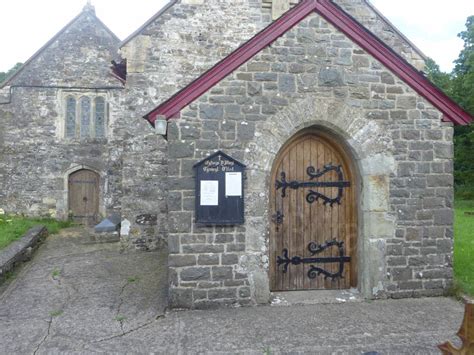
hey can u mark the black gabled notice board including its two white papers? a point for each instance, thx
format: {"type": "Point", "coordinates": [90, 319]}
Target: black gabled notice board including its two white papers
{"type": "Point", "coordinates": [219, 190]}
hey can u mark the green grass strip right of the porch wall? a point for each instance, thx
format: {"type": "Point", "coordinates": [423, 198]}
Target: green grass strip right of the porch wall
{"type": "Point", "coordinates": [464, 246]}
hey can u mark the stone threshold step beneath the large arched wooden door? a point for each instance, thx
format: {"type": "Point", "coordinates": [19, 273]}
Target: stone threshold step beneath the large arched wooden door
{"type": "Point", "coordinates": [291, 298]}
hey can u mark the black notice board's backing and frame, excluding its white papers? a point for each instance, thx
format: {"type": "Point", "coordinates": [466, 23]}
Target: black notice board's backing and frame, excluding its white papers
{"type": "Point", "coordinates": [230, 209]}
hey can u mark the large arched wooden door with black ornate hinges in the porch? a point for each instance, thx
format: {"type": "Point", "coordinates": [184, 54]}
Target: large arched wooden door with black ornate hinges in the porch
{"type": "Point", "coordinates": [313, 238]}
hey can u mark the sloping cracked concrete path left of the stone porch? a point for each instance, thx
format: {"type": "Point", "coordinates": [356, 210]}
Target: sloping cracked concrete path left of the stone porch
{"type": "Point", "coordinates": [74, 293]}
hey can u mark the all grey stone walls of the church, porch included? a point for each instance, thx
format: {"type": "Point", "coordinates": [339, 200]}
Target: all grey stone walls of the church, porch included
{"type": "Point", "coordinates": [312, 77]}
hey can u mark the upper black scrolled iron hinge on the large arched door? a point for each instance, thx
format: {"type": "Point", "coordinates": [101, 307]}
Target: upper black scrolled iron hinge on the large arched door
{"type": "Point", "coordinates": [313, 174]}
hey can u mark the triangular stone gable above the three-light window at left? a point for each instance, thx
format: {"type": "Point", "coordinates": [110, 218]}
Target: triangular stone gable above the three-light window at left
{"type": "Point", "coordinates": [77, 56]}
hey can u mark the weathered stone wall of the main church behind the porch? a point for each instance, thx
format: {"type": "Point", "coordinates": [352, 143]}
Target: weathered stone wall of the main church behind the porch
{"type": "Point", "coordinates": [171, 51]}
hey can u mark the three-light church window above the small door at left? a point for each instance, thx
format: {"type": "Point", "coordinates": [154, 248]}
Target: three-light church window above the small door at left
{"type": "Point", "coordinates": [85, 116]}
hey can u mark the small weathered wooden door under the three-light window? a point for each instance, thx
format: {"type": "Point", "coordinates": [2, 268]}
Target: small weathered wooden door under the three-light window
{"type": "Point", "coordinates": [84, 196]}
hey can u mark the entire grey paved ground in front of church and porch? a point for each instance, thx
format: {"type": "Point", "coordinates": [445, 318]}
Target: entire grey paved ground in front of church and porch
{"type": "Point", "coordinates": [86, 298]}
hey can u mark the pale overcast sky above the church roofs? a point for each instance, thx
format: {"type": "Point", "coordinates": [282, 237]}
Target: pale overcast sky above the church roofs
{"type": "Point", "coordinates": [26, 25]}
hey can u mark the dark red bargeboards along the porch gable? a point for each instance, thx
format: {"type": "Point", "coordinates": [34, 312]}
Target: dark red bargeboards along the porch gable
{"type": "Point", "coordinates": [339, 19]}
